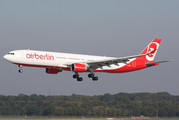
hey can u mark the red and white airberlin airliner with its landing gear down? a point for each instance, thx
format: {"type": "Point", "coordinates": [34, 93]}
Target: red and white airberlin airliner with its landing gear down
{"type": "Point", "coordinates": [55, 62]}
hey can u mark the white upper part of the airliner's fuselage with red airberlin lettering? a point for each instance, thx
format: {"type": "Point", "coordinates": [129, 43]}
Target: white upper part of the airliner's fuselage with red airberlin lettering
{"type": "Point", "coordinates": [52, 59]}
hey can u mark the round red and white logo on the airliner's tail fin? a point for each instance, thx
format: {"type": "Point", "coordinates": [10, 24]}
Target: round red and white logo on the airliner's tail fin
{"type": "Point", "coordinates": [151, 47]}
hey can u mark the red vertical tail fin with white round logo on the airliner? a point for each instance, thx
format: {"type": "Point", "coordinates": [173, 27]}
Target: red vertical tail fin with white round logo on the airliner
{"type": "Point", "coordinates": [152, 48]}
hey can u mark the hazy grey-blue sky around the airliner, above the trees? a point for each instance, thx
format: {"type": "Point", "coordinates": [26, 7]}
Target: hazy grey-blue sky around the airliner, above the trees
{"type": "Point", "coordinates": [115, 28]}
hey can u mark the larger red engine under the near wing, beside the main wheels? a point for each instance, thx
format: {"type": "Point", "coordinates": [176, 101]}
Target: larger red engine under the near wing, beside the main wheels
{"type": "Point", "coordinates": [76, 67]}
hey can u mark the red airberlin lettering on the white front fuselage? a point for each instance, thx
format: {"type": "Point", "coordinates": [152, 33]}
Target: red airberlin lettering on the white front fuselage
{"type": "Point", "coordinates": [40, 57]}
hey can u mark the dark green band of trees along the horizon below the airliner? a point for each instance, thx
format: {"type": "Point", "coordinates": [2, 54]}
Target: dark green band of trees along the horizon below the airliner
{"type": "Point", "coordinates": [121, 105]}
